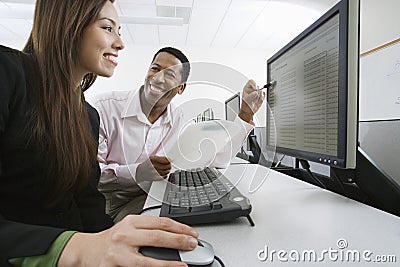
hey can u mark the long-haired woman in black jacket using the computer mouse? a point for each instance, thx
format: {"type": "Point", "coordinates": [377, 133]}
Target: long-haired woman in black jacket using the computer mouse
{"type": "Point", "coordinates": [51, 213]}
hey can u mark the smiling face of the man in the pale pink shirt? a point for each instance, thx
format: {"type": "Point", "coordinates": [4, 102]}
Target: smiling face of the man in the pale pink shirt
{"type": "Point", "coordinates": [163, 80]}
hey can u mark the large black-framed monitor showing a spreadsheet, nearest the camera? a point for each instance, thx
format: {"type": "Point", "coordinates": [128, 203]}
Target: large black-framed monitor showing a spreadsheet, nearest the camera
{"type": "Point", "coordinates": [314, 100]}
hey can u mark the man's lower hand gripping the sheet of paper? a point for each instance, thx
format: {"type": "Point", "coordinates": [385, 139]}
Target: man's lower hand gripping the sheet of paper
{"type": "Point", "coordinates": [154, 169]}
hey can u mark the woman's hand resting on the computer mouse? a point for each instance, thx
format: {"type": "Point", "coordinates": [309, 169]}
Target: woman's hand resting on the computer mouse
{"type": "Point", "coordinates": [119, 245]}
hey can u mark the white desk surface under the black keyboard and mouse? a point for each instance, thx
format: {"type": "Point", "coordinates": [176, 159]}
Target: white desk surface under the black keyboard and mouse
{"type": "Point", "coordinates": [294, 216]}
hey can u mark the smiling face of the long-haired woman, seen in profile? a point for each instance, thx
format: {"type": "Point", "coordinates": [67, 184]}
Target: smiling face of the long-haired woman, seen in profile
{"type": "Point", "coordinates": [100, 45]}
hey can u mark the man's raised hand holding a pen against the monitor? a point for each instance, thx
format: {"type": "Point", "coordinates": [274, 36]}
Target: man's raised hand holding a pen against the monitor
{"type": "Point", "coordinates": [252, 100]}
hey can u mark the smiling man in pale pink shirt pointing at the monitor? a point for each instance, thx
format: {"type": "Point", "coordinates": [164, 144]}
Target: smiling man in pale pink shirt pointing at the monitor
{"type": "Point", "coordinates": [135, 126]}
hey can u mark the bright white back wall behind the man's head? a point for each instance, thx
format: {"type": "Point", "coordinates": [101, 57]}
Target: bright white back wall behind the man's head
{"type": "Point", "coordinates": [243, 64]}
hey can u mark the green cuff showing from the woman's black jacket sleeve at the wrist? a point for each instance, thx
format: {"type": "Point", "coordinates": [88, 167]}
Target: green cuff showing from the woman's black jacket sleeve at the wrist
{"type": "Point", "coordinates": [49, 259]}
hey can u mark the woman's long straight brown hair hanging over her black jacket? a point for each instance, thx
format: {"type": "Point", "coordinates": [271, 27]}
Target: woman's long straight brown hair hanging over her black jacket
{"type": "Point", "coordinates": [60, 120]}
